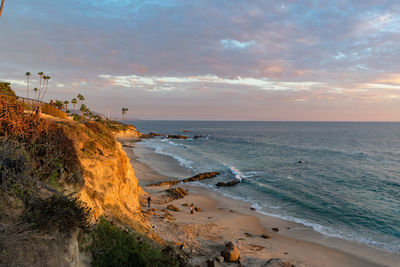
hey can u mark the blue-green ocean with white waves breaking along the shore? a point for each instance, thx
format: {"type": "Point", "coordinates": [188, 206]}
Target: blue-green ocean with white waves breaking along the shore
{"type": "Point", "coordinates": [340, 178]}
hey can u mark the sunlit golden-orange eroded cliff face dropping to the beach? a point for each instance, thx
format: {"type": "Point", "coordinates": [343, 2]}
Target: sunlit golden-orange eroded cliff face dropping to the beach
{"type": "Point", "coordinates": [110, 186]}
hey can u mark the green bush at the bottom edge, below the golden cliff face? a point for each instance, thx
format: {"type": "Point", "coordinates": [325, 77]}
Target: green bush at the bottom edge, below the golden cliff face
{"type": "Point", "coordinates": [112, 246]}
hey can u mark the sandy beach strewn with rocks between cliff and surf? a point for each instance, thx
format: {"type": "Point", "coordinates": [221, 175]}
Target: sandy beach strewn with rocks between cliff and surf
{"type": "Point", "coordinates": [224, 219]}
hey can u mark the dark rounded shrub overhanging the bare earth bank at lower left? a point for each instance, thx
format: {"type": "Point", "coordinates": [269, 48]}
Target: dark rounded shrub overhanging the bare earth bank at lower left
{"type": "Point", "coordinates": [58, 212]}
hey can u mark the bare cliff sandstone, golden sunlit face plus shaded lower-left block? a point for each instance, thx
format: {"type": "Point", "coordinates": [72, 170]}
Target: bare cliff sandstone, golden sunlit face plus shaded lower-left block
{"type": "Point", "coordinates": [103, 178]}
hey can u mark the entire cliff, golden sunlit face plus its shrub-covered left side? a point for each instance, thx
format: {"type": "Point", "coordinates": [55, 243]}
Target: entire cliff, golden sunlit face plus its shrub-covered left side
{"type": "Point", "coordinates": [52, 171]}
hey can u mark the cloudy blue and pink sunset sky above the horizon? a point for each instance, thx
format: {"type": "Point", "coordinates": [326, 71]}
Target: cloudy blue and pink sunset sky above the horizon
{"type": "Point", "coordinates": [271, 60]}
